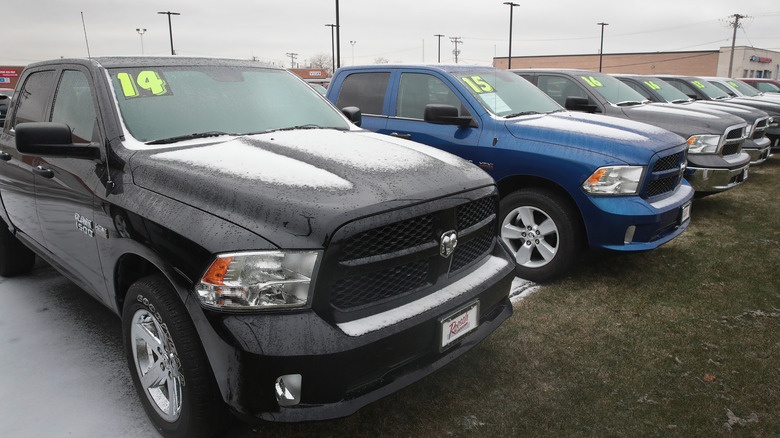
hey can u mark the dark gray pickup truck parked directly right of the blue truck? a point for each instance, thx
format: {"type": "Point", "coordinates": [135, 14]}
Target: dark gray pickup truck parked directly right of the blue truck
{"type": "Point", "coordinates": [716, 161]}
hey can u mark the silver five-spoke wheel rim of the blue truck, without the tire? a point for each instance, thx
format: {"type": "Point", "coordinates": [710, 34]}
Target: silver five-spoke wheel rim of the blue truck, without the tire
{"type": "Point", "coordinates": [532, 236]}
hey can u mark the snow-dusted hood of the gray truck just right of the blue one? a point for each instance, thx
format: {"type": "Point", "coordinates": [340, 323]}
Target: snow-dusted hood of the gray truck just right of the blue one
{"type": "Point", "coordinates": [682, 121]}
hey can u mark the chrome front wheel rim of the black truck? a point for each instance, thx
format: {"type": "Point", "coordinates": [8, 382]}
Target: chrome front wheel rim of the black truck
{"type": "Point", "coordinates": [157, 365]}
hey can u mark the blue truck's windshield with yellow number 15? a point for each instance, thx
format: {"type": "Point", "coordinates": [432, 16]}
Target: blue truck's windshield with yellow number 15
{"type": "Point", "coordinates": [506, 94]}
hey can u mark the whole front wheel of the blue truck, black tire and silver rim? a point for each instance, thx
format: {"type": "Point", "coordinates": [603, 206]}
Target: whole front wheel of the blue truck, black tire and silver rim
{"type": "Point", "coordinates": [543, 232]}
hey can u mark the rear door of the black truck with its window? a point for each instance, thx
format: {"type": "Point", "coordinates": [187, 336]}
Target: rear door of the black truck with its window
{"type": "Point", "coordinates": [16, 170]}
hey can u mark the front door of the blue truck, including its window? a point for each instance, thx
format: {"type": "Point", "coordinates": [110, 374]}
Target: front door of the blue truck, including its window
{"type": "Point", "coordinates": [414, 92]}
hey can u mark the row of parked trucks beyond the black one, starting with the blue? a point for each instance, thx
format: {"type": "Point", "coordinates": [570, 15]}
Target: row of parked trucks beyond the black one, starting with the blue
{"type": "Point", "coordinates": [568, 176]}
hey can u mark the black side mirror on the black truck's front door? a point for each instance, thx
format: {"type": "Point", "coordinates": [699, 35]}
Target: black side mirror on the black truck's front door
{"type": "Point", "coordinates": [51, 139]}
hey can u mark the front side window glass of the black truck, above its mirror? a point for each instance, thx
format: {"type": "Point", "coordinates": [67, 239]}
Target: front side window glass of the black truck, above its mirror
{"type": "Point", "coordinates": [74, 107]}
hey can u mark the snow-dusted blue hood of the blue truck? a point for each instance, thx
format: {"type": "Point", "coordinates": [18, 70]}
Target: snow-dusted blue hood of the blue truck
{"type": "Point", "coordinates": [624, 140]}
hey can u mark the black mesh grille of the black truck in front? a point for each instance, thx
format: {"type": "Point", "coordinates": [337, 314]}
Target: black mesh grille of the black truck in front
{"type": "Point", "coordinates": [402, 259]}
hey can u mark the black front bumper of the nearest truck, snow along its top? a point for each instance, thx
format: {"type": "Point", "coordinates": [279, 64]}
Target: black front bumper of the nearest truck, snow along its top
{"type": "Point", "coordinates": [345, 366]}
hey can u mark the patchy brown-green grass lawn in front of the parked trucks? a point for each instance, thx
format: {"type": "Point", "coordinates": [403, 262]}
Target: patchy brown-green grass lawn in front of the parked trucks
{"type": "Point", "coordinates": [682, 341]}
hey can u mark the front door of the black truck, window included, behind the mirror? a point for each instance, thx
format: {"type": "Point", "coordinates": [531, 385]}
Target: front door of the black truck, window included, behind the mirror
{"type": "Point", "coordinates": [64, 187]}
